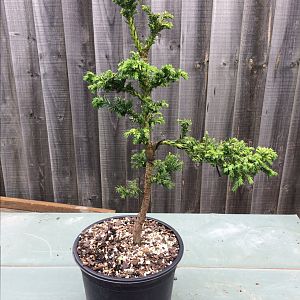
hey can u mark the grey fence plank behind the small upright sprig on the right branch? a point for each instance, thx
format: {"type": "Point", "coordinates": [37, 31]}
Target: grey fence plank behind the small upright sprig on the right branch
{"type": "Point", "coordinates": [195, 41]}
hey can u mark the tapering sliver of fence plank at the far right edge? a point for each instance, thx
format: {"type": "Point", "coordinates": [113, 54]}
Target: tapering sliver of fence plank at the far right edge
{"type": "Point", "coordinates": [290, 183]}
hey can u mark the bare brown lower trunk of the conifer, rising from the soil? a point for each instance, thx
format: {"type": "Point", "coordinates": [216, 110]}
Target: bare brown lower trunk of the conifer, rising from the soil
{"type": "Point", "coordinates": [146, 201]}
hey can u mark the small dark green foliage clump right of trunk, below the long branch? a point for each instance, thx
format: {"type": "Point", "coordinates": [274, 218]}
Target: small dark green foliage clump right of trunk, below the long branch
{"type": "Point", "coordinates": [163, 170]}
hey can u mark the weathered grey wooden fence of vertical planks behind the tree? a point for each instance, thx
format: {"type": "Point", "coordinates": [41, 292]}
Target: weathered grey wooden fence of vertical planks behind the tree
{"type": "Point", "coordinates": [243, 59]}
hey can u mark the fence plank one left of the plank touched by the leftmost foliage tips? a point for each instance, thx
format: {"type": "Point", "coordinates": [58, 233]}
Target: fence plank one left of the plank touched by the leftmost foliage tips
{"type": "Point", "coordinates": [52, 55]}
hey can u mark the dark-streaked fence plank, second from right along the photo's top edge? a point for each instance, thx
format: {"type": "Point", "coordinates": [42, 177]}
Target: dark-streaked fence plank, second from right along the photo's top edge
{"type": "Point", "coordinates": [252, 72]}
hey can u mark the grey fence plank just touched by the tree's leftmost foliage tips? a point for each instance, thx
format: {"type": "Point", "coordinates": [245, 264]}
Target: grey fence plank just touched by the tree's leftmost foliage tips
{"type": "Point", "coordinates": [79, 39]}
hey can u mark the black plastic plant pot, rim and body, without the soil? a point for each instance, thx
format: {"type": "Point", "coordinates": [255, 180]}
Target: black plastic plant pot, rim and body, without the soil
{"type": "Point", "coordinates": [152, 287]}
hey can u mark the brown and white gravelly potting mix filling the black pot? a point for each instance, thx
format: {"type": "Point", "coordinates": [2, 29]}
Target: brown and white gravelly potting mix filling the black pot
{"type": "Point", "coordinates": [108, 248]}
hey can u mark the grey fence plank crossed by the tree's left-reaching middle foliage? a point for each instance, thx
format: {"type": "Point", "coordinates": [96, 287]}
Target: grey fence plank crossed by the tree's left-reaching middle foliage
{"type": "Point", "coordinates": [108, 52]}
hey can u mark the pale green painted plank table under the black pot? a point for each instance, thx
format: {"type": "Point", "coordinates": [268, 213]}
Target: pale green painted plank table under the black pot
{"type": "Point", "coordinates": [226, 256]}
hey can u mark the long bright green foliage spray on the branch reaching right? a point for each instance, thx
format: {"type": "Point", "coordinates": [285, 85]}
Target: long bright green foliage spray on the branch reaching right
{"type": "Point", "coordinates": [237, 160]}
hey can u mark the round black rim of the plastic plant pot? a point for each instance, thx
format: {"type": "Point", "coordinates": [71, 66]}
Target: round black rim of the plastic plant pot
{"type": "Point", "coordinates": [147, 278]}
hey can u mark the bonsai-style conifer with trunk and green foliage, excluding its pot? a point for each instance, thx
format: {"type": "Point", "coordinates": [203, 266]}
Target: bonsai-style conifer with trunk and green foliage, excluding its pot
{"type": "Point", "coordinates": [138, 78]}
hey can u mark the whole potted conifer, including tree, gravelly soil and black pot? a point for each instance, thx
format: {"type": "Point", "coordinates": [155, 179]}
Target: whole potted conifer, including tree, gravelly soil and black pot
{"type": "Point", "coordinates": [135, 257]}
